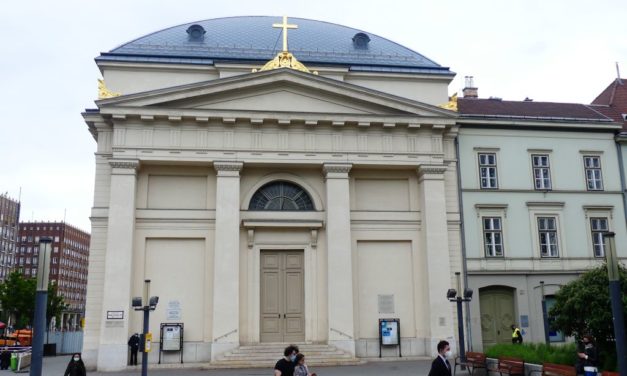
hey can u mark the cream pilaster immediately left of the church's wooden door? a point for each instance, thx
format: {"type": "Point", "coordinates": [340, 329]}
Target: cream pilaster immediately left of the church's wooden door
{"type": "Point", "coordinates": [225, 327]}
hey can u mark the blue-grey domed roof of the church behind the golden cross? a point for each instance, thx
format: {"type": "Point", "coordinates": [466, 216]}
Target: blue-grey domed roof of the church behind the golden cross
{"type": "Point", "coordinates": [252, 39]}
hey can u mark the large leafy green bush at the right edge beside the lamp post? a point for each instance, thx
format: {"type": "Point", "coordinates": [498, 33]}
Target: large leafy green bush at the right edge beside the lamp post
{"type": "Point", "coordinates": [583, 307]}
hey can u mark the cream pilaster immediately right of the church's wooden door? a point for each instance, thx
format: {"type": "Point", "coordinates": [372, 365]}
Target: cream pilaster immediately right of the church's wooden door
{"type": "Point", "coordinates": [340, 274]}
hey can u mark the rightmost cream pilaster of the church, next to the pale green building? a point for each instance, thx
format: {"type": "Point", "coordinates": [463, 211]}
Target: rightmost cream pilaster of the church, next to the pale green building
{"type": "Point", "coordinates": [435, 247]}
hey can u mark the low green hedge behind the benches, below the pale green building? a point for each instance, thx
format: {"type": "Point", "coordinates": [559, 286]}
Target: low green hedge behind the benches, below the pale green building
{"type": "Point", "coordinates": [536, 353]}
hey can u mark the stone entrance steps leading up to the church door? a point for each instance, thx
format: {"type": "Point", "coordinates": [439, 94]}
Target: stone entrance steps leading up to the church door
{"type": "Point", "coordinates": [267, 354]}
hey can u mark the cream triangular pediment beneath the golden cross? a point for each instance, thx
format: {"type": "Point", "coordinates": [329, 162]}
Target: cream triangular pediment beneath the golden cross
{"type": "Point", "coordinates": [281, 90]}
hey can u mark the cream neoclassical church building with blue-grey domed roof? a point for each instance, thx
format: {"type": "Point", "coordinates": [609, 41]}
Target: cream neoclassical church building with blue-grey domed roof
{"type": "Point", "coordinates": [296, 202]}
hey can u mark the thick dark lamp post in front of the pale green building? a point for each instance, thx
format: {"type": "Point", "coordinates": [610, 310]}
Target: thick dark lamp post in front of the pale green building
{"type": "Point", "coordinates": [616, 299]}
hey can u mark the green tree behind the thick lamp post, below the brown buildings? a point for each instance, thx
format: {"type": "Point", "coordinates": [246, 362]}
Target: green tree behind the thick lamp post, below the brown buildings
{"type": "Point", "coordinates": [17, 297]}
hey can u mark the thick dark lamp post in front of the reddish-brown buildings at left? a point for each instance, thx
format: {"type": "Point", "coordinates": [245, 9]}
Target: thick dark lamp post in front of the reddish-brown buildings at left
{"type": "Point", "coordinates": [41, 301]}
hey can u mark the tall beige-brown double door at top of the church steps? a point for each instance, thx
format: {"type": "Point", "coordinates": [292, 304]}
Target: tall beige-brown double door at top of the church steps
{"type": "Point", "coordinates": [282, 296]}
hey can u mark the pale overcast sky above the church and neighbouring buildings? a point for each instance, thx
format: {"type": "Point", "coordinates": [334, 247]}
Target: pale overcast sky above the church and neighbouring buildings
{"type": "Point", "coordinates": [562, 51]}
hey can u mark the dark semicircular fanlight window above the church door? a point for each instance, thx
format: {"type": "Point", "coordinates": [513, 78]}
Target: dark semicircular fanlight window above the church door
{"type": "Point", "coordinates": [281, 195]}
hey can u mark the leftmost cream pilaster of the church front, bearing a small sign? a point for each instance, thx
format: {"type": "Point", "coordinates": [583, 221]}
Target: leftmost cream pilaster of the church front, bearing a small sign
{"type": "Point", "coordinates": [112, 352]}
